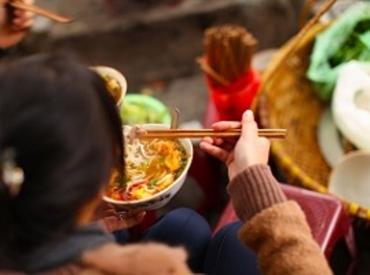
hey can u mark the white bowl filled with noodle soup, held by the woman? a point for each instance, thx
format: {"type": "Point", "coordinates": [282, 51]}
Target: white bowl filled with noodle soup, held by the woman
{"type": "Point", "coordinates": [155, 170]}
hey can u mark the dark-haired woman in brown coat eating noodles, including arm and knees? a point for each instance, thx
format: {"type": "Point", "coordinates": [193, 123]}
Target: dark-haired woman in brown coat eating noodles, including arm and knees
{"type": "Point", "coordinates": [60, 139]}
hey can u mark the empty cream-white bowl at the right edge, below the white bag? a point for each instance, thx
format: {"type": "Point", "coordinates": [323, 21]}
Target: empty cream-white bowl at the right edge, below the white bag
{"type": "Point", "coordinates": [350, 179]}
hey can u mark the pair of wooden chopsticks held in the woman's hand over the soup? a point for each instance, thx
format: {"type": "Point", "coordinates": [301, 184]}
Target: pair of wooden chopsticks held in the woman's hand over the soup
{"type": "Point", "coordinates": [187, 133]}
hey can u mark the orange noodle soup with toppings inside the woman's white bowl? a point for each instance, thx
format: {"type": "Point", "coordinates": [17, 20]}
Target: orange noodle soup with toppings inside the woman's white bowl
{"type": "Point", "coordinates": [151, 167]}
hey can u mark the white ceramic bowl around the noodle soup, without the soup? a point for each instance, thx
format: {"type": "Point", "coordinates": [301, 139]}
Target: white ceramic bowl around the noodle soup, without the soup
{"type": "Point", "coordinates": [161, 198]}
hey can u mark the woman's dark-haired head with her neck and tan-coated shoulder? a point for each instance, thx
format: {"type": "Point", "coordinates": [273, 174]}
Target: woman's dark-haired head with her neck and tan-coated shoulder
{"type": "Point", "coordinates": [60, 137]}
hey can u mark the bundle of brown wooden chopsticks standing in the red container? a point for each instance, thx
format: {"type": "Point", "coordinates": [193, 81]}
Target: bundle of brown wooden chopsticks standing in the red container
{"type": "Point", "coordinates": [228, 53]}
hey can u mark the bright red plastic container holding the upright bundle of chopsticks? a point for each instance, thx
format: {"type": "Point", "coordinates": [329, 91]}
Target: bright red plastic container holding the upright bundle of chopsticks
{"type": "Point", "coordinates": [231, 101]}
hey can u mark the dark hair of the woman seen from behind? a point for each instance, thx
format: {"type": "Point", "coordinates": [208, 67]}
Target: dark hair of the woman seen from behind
{"type": "Point", "coordinates": [66, 133]}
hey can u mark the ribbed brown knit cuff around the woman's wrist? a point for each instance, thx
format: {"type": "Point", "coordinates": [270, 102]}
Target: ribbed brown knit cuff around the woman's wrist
{"type": "Point", "coordinates": [254, 190]}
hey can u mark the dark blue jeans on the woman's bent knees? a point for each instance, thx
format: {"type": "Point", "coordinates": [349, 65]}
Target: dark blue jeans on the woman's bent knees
{"type": "Point", "coordinates": [222, 254]}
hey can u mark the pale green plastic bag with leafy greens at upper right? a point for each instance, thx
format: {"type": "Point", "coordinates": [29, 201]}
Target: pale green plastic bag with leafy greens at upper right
{"type": "Point", "coordinates": [347, 39]}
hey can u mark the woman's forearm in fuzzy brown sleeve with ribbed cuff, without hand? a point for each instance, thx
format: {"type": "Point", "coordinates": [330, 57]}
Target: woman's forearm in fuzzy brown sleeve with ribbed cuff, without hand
{"type": "Point", "coordinates": [276, 229]}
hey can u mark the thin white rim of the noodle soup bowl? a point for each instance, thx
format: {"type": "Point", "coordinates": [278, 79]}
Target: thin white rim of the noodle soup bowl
{"type": "Point", "coordinates": [184, 172]}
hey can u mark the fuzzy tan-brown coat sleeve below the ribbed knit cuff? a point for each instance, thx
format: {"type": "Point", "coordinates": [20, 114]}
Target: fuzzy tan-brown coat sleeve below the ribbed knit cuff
{"type": "Point", "coordinates": [283, 242]}
